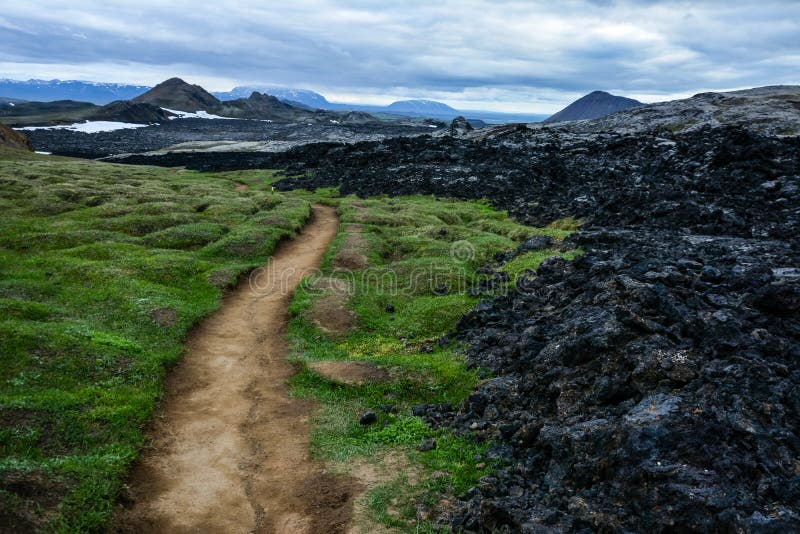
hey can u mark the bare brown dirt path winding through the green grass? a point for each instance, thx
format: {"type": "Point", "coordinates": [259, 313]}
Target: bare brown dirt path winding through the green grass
{"type": "Point", "coordinates": [229, 452]}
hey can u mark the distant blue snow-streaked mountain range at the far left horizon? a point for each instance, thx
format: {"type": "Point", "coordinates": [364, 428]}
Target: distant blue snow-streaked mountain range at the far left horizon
{"type": "Point", "coordinates": [48, 90]}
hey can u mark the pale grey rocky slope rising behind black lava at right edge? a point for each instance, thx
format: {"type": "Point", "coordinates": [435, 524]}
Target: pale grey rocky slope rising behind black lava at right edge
{"type": "Point", "coordinates": [771, 110]}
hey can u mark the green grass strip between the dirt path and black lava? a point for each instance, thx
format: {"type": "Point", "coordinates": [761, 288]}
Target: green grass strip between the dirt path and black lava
{"type": "Point", "coordinates": [414, 245]}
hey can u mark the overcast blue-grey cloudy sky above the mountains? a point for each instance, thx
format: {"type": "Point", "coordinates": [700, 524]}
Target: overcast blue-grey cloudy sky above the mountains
{"type": "Point", "coordinates": [526, 56]}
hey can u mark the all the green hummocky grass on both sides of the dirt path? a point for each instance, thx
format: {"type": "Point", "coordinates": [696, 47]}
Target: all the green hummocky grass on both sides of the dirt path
{"type": "Point", "coordinates": [105, 268]}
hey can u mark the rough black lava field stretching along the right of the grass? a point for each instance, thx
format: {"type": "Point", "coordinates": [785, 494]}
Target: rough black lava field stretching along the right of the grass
{"type": "Point", "coordinates": [652, 384]}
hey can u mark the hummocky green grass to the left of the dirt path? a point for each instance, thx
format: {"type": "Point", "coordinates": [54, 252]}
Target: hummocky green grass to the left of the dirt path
{"type": "Point", "coordinates": [103, 270]}
